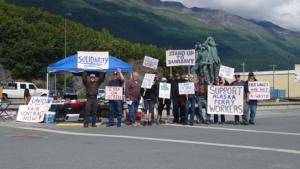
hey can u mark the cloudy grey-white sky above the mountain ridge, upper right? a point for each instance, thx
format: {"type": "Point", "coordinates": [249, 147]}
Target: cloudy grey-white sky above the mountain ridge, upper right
{"type": "Point", "coordinates": [285, 13]}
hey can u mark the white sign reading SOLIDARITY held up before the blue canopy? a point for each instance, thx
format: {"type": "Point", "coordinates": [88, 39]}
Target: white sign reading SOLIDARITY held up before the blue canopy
{"type": "Point", "coordinates": [92, 60]}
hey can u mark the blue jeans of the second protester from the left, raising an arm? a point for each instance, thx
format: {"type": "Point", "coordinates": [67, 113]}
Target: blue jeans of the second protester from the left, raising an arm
{"type": "Point", "coordinates": [115, 106]}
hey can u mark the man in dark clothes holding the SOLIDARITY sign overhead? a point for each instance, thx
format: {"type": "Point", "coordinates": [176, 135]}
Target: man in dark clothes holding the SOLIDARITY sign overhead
{"type": "Point", "coordinates": [91, 84]}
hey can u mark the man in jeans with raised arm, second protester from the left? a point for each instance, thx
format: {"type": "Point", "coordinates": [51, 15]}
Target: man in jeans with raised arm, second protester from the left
{"type": "Point", "coordinates": [116, 105]}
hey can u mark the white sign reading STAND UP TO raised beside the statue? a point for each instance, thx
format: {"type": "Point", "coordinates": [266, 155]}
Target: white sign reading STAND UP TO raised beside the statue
{"type": "Point", "coordinates": [180, 57]}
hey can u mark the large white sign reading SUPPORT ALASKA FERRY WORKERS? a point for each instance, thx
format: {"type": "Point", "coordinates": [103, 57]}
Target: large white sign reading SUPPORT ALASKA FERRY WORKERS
{"type": "Point", "coordinates": [228, 100]}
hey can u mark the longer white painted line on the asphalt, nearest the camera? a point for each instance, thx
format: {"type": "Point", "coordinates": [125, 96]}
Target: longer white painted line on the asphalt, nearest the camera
{"type": "Point", "coordinates": [289, 151]}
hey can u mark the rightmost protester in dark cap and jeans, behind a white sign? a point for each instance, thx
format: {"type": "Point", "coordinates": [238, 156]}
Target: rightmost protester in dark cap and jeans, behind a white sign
{"type": "Point", "coordinates": [251, 104]}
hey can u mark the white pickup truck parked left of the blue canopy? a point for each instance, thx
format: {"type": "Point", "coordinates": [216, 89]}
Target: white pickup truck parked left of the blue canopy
{"type": "Point", "coordinates": [15, 90]}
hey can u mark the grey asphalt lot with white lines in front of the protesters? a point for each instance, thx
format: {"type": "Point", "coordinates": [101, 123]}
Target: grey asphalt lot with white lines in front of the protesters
{"type": "Point", "coordinates": [273, 143]}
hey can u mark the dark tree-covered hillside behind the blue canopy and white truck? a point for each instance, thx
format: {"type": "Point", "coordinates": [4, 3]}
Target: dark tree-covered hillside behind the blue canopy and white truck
{"type": "Point", "coordinates": [31, 40]}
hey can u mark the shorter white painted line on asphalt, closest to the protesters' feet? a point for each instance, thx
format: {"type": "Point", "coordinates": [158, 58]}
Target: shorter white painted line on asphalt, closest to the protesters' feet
{"type": "Point", "coordinates": [240, 130]}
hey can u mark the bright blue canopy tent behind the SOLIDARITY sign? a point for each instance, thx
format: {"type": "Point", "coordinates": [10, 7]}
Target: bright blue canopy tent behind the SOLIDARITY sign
{"type": "Point", "coordinates": [69, 64]}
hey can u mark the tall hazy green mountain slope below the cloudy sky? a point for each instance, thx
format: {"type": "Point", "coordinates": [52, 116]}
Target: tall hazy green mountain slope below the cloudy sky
{"type": "Point", "coordinates": [172, 25]}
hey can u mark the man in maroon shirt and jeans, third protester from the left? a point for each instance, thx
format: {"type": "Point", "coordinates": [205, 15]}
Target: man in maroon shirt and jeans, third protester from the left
{"type": "Point", "coordinates": [133, 96]}
